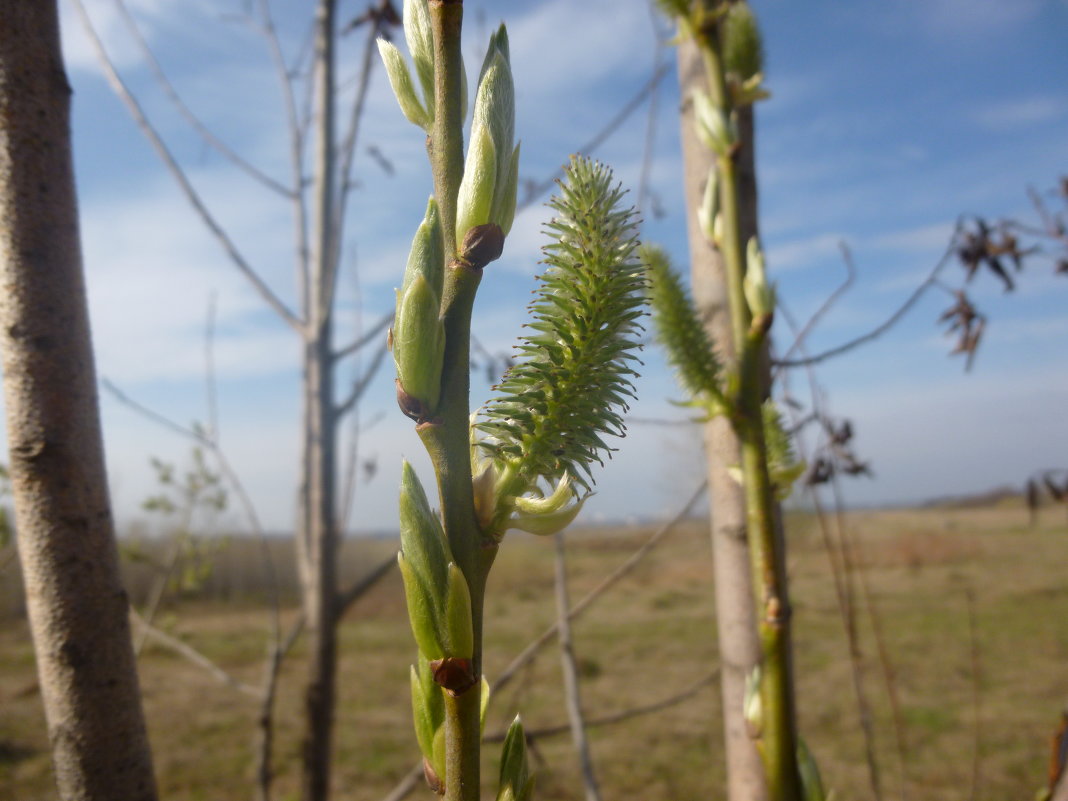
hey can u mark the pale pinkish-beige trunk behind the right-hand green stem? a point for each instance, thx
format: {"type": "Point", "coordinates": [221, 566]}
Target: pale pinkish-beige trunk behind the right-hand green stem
{"type": "Point", "coordinates": [739, 643]}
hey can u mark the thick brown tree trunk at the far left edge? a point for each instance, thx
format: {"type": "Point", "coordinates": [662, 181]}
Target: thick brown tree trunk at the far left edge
{"type": "Point", "coordinates": [75, 600]}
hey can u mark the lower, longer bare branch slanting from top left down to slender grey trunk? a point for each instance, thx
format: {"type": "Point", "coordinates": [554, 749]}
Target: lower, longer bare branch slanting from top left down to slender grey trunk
{"type": "Point", "coordinates": [187, 189]}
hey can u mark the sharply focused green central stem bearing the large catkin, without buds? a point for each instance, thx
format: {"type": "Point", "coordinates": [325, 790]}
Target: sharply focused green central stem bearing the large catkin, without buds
{"type": "Point", "coordinates": [447, 437]}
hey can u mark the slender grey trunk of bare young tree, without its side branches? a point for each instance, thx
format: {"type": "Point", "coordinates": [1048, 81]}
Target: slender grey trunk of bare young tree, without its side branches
{"type": "Point", "coordinates": [321, 533]}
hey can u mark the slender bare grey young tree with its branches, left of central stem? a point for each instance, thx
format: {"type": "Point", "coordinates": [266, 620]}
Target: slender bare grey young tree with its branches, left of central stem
{"type": "Point", "coordinates": [319, 191]}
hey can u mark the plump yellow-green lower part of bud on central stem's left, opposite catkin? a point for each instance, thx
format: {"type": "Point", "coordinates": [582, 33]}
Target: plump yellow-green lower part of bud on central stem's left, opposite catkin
{"type": "Point", "coordinates": [419, 343]}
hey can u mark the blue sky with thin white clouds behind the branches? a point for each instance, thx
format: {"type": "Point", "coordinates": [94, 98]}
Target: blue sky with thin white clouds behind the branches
{"type": "Point", "coordinates": [887, 122]}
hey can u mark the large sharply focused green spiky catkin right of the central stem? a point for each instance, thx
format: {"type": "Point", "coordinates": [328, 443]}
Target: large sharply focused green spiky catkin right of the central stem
{"type": "Point", "coordinates": [574, 380]}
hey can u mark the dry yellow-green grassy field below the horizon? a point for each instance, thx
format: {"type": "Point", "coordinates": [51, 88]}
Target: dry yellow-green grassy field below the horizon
{"type": "Point", "coordinates": [979, 712]}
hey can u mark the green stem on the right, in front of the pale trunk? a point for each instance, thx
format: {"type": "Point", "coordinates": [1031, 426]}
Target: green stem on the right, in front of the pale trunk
{"type": "Point", "coordinates": [779, 740]}
